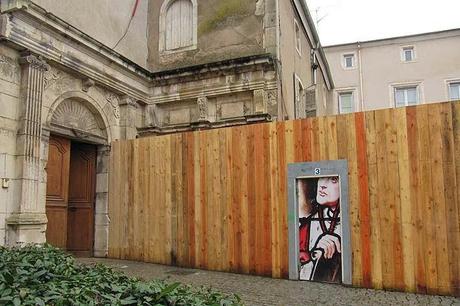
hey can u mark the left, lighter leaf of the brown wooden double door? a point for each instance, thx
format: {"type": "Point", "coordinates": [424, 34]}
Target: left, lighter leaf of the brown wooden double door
{"type": "Point", "coordinates": [57, 191]}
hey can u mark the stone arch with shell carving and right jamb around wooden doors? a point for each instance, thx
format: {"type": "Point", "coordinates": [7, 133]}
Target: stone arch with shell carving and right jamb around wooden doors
{"type": "Point", "coordinates": [80, 119]}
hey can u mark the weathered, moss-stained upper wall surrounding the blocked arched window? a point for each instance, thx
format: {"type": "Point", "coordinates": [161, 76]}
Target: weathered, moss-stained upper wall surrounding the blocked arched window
{"type": "Point", "coordinates": [226, 29]}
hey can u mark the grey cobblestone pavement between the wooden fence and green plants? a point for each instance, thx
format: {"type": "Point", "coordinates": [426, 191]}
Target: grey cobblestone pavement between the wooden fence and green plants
{"type": "Point", "coordinates": [266, 291]}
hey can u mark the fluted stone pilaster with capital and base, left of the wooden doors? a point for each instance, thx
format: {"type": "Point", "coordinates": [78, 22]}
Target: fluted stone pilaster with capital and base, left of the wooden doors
{"type": "Point", "coordinates": [27, 223]}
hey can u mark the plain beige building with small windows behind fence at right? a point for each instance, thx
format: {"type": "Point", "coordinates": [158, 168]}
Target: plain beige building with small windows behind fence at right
{"type": "Point", "coordinates": [395, 72]}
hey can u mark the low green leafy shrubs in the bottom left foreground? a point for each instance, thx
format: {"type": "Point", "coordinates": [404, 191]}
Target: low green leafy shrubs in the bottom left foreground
{"type": "Point", "coordinates": [47, 276]}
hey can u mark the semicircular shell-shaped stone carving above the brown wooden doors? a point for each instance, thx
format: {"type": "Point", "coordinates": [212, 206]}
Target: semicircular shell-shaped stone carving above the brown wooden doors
{"type": "Point", "coordinates": [76, 116]}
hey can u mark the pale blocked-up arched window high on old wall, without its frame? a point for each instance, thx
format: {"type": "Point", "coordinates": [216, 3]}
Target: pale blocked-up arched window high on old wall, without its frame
{"type": "Point", "coordinates": [178, 25]}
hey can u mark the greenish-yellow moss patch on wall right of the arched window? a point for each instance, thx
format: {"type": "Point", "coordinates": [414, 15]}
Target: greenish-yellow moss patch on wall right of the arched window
{"type": "Point", "coordinates": [225, 10]}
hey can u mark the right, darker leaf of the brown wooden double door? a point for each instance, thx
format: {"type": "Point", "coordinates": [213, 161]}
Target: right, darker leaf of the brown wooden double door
{"type": "Point", "coordinates": [80, 229]}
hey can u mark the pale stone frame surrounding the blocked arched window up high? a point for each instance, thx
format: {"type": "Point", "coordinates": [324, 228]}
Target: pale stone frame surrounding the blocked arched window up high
{"type": "Point", "coordinates": [162, 34]}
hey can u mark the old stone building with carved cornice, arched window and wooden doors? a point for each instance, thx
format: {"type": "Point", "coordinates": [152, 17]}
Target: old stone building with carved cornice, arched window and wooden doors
{"type": "Point", "coordinates": [78, 75]}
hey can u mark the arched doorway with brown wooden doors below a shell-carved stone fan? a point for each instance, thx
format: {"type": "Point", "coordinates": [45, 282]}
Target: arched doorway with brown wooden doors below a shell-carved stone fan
{"type": "Point", "coordinates": [78, 138]}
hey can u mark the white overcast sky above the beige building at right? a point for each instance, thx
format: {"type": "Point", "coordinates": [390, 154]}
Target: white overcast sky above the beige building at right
{"type": "Point", "coordinates": [342, 21]}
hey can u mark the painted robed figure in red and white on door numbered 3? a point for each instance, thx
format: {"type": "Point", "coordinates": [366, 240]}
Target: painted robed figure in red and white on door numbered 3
{"type": "Point", "coordinates": [320, 229]}
